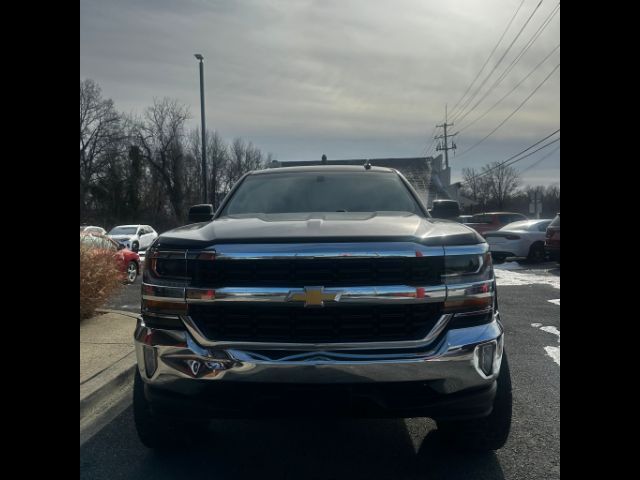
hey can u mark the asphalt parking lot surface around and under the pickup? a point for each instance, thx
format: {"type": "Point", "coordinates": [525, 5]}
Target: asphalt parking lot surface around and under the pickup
{"type": "Point", "coordinates": [373, 449]}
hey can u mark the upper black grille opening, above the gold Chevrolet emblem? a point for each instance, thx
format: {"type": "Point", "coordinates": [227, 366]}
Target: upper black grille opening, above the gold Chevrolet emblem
{"type": "Point", "coordinates": [295, 273]}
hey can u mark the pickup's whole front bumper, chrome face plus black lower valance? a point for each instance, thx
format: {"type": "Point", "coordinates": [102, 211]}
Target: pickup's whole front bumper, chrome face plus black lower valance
{"type": "Point", "coordinates": [183, 377]}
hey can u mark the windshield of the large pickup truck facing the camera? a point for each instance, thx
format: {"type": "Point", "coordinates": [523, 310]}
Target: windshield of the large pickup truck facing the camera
{"type": "Point", "coordinates": [307, 192]}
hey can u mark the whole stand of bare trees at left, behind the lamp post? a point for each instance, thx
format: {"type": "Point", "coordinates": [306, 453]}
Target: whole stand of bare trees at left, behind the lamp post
{"type": "Point", "coordinates": [144, 169]}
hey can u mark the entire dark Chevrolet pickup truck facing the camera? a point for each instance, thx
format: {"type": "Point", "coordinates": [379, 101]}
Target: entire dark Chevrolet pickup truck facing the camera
{"type": "Point", "coordinates": [324, 290]}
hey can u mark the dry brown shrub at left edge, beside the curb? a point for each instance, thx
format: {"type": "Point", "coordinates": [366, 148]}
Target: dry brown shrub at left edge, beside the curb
{"type": "Point", "coordinates": [99, 278]}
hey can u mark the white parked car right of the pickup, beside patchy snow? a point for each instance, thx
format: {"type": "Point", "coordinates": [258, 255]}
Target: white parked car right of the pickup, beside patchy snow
{"type": "Point", "coordinates": [524, 239]}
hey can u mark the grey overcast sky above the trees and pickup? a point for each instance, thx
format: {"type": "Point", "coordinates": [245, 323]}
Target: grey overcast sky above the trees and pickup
{"type": "Point", "coordinates": [348, 78]}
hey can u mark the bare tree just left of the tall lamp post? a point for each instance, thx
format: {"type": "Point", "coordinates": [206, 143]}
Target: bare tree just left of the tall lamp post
{"type": "Point", "coordinates": [159, 136]}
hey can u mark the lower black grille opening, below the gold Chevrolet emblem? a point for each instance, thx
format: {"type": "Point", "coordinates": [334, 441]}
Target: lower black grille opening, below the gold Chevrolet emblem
{"type": "Point", "coordinates": [296, 324]}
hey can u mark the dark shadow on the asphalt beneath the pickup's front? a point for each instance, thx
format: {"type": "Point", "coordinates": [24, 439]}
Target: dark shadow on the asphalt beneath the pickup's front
{"type": "Point", "coordinates": [293, 449]}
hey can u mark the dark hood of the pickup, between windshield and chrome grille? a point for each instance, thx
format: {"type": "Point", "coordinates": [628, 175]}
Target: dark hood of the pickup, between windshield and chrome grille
{"type": "Point", "coordinates": [329, 227]}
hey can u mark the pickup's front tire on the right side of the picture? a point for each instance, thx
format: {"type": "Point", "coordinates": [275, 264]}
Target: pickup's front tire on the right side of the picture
{"type": "Point", "coordinates": [488, 433]}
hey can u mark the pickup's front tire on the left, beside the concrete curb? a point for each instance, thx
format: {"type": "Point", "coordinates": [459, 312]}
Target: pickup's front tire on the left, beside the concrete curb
{"type": "Point", "coordinates": [160, 432]}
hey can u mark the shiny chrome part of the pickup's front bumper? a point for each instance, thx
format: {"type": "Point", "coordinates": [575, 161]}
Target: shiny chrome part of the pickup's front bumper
{"type": "Point", "coordinates": [450, 365]}
